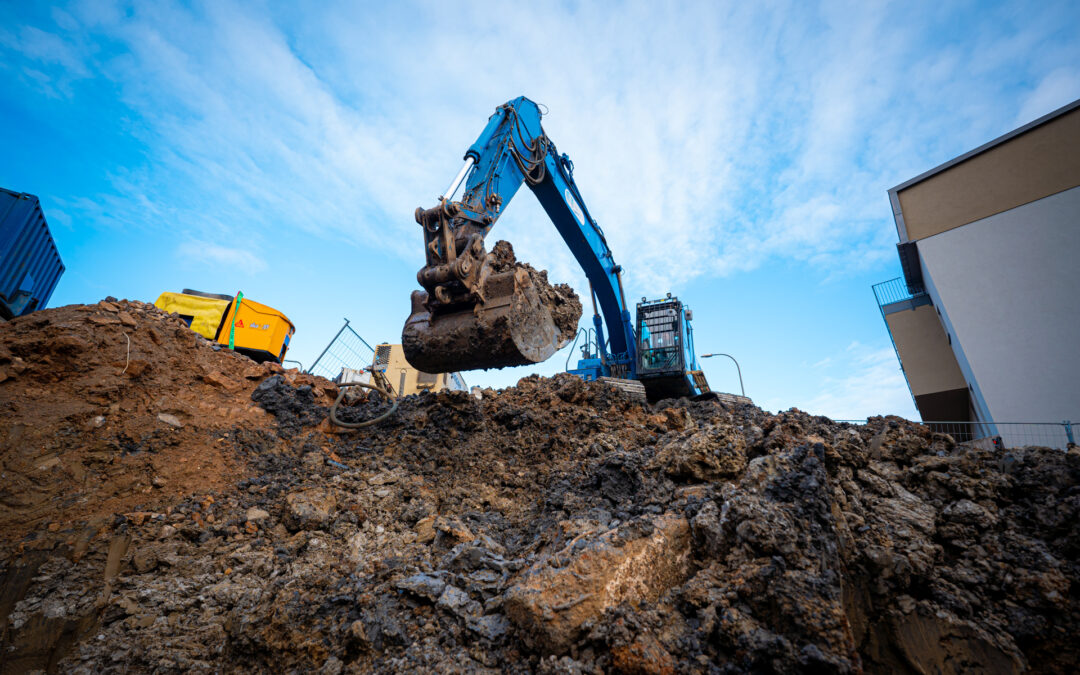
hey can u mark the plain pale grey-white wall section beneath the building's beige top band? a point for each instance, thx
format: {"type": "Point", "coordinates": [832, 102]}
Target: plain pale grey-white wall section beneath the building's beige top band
{"type": "Point", "coordinates": [1009, 289]}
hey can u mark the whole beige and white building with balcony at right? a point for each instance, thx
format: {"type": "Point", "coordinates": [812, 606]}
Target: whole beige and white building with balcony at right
{"type": "Point", "coordinates": [987, 319]}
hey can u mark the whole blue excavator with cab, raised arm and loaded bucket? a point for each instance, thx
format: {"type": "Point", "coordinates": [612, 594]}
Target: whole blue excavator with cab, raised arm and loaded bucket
{"type": "Point", "coordinates": [480, 309]}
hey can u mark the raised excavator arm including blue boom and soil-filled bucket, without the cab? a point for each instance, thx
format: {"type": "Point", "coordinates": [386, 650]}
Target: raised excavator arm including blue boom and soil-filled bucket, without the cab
{"type": "Point", "coordinates": [478, 313]}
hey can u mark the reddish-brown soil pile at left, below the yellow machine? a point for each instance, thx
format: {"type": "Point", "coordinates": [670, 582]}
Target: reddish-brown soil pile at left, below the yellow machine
{"type": "Point", "coordinates": [110, 407]}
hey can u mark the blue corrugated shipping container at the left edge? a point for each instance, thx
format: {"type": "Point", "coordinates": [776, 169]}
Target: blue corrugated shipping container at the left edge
{"type": "Point", "coordinates": [30, 264]}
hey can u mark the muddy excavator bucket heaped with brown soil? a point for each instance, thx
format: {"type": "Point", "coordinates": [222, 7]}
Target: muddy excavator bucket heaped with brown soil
{"type": "Point", "coordinates": [512, 327]}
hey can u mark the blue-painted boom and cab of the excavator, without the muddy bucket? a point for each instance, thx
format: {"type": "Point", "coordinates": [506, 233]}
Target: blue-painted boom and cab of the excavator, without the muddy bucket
{"type": "Point", "coordinates": [613, 347]}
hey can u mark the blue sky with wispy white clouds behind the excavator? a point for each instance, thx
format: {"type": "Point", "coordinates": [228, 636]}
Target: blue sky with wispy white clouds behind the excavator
{"type": "Point", "coordinates": [736, 154]}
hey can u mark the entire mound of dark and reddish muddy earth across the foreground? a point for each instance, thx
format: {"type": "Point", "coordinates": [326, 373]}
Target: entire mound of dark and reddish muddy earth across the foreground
{"type": "Point", "coordinates": [197, 514]}
